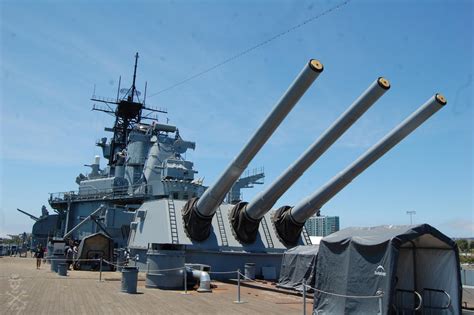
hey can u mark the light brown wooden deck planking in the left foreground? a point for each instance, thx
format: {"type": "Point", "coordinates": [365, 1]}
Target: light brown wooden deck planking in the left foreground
{"type": "Point", "coordinates": [26, 290]}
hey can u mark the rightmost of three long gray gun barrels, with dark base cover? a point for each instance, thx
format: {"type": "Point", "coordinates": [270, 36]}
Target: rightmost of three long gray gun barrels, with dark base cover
{"type": "Point", "coordinates": [289, 221]}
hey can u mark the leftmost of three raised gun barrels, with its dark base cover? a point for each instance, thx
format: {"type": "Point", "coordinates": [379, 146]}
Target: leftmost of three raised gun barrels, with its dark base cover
{"type": "Point", "coordinates": [198, 213]}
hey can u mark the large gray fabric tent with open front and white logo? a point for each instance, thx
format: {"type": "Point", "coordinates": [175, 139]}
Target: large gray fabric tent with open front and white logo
{"type": "Point", "coordinates": [416, 267]}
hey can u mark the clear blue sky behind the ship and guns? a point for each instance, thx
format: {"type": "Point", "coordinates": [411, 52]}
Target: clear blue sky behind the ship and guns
{"type": "Point", "coordinates": [53, 52]}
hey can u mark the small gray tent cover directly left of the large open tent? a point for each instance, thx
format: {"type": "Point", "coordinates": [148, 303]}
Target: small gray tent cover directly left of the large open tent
{"type": "Point", "coordinates": [298, 263]}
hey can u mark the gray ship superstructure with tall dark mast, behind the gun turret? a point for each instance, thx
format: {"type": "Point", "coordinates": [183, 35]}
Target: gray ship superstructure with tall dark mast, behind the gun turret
{"type": "Point", "coordinates": [145, 161]}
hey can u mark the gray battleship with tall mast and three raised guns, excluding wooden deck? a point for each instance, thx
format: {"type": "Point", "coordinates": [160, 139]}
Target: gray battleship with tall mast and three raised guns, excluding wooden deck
{"type": "Point", "coordinates": [149, 203]}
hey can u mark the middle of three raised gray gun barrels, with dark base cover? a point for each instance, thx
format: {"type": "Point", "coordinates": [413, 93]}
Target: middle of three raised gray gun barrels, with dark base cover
{"type": "Point", "coordinates": [245, 218]}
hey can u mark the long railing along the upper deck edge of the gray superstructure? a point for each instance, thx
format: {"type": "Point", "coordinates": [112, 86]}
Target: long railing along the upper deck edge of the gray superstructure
{"type": "Point", "coordinates": [91, 192]}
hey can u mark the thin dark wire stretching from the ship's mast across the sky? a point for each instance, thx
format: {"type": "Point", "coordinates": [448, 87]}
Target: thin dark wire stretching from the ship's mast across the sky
{"type": "Point", "coordinates": [250, 49]}
